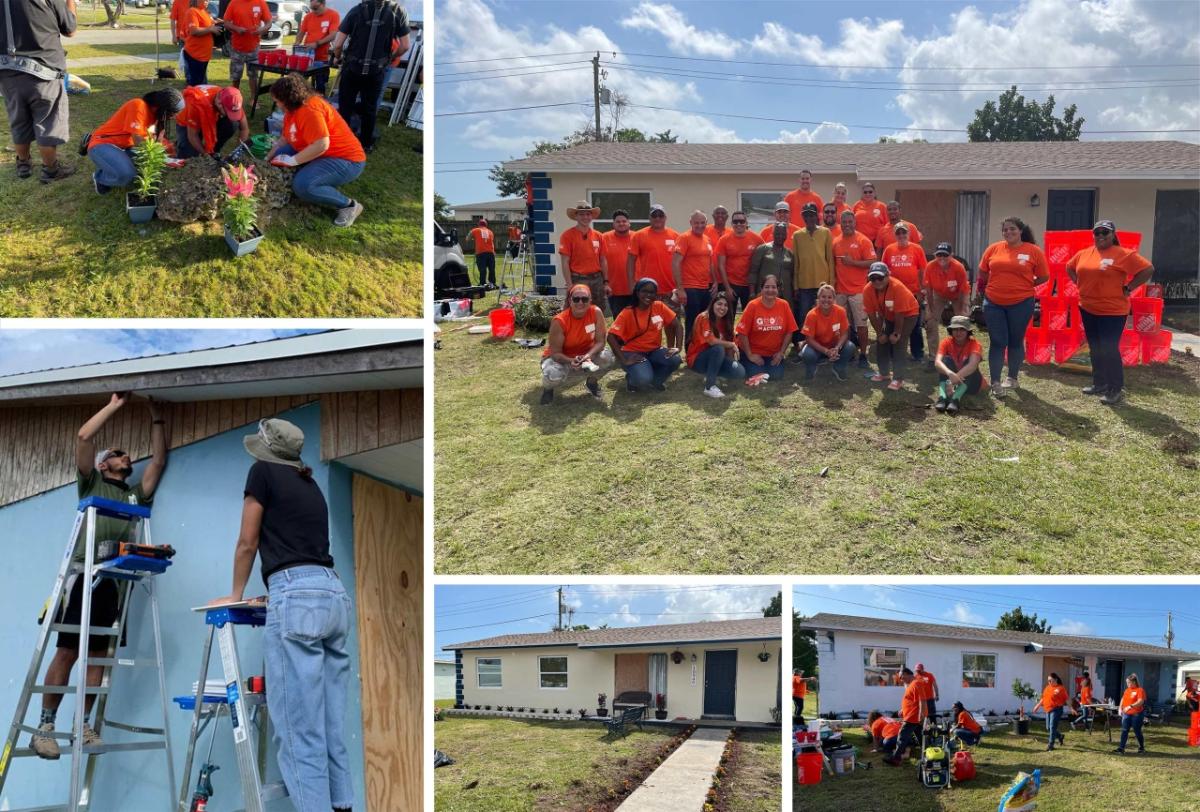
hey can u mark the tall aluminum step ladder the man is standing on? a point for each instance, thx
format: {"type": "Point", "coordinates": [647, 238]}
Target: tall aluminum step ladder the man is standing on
{"type": "Point", "coordinates": [130, 573]}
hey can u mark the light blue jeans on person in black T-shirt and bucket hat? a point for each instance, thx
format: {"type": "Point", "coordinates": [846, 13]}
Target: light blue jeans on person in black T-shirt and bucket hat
{"type": "Point", "coordinates": [308, 672]}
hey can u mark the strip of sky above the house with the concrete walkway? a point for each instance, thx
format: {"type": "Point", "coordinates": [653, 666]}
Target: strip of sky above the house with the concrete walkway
{"type": "Point", "coordinates": [471, 613]}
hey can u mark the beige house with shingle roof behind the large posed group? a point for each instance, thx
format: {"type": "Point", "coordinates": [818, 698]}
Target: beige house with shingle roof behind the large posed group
{"type": "Point", "coordinates": [953, 193]}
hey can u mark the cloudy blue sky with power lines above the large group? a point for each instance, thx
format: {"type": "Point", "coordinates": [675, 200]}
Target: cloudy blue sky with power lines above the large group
{"type": "Point", "coordinates": [929, 65]}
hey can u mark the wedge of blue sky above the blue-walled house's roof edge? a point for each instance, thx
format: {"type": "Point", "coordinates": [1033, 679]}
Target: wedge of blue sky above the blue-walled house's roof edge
{"type": "Point", "coordinates": [31, 351]}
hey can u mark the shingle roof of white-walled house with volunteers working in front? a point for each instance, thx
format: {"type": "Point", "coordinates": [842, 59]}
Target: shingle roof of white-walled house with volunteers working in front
{"type": "Point", "coordinates": [1054, 642]}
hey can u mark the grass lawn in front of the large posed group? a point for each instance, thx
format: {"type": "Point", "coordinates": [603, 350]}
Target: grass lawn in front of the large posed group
{"type": "Point", "coordinates": [680, 483]}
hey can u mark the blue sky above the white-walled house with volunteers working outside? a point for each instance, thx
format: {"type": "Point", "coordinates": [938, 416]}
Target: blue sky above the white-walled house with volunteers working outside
{"type": "Point", "coordinates": [1133, 613]}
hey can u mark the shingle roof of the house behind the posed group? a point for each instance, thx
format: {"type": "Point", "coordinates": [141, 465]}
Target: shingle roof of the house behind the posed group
{"type": "Point", "coordinates": [1011, 160]}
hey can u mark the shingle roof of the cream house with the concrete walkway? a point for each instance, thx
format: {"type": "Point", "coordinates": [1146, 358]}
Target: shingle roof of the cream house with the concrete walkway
{"type": "Point", "coordinates": [757, 629]}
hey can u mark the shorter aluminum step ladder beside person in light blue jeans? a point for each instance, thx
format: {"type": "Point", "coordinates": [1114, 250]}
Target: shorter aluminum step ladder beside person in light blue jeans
{"type": "Point", "coordinates": [249, 726]}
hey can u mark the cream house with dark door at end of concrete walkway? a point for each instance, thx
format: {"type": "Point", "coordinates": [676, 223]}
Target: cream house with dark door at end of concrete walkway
{"type": "Point", "coordinates": [728, 671]}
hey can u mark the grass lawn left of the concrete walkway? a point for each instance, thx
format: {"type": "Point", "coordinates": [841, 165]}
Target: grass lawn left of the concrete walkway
{"type": "Point", "coordinates": [509, 766]}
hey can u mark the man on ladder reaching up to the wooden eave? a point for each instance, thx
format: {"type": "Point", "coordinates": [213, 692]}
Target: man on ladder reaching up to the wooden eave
{"type": "Point", "coordinates": [105, 474]}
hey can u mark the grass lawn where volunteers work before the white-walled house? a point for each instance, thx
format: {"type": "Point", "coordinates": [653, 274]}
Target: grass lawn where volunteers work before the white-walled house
{"type": "Point", "coordinates": [1082, 775]}
